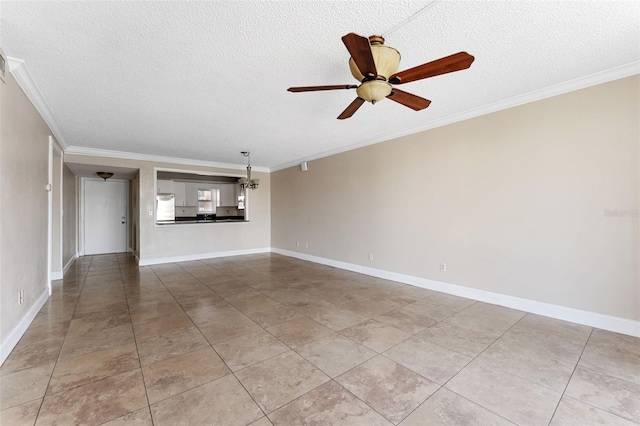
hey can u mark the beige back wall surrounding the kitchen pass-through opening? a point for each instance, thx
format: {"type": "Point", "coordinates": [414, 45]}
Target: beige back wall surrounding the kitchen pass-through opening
{"type": "Point", "coordinates": [156, 242]}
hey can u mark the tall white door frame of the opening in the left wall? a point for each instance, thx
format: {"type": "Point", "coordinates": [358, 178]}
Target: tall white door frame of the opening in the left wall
{"type": "Point", "coordinates": [54, 149]}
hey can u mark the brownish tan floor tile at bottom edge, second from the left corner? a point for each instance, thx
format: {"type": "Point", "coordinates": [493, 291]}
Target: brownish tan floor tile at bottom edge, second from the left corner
{"type": "Point", "coordinates": [96, 402]}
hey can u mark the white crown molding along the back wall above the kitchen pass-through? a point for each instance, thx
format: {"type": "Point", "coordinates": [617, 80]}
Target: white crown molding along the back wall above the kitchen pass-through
{"type": "Point", "coordinates": [95, 152]}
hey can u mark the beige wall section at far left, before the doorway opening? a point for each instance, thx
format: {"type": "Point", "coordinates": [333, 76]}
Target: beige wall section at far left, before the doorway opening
{"type": "Point", "coordinates": [24, 148]}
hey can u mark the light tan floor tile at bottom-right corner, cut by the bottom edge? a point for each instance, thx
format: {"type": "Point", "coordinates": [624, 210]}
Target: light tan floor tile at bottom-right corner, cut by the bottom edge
{"type": "Point", "coordinates": [572, 412]}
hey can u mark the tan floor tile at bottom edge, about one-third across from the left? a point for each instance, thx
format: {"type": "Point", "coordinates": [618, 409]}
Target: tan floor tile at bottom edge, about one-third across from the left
{"type": "Point", "coordinates": [220, 402]}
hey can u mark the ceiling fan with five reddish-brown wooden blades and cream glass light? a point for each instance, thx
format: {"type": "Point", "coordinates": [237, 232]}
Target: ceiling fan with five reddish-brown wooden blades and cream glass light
{"type": "Point", "coordinates": [375, 66]}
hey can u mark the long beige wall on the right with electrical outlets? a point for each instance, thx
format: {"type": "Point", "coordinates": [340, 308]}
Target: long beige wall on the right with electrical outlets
{"type": "Point", "coordinates": [514, 202]}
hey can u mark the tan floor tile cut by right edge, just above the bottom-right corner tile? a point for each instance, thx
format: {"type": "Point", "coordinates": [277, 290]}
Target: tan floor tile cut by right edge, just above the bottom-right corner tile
{"type": "Point", "coordinates": [606, 392]}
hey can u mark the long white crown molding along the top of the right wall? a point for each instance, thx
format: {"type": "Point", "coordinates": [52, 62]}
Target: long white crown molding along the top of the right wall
{"type": "Point", "coordinates": [606, 76]}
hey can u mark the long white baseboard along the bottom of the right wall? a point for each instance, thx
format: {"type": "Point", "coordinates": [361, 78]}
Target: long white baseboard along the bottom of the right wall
{"type": "Point", "coordinates": [592, 319]}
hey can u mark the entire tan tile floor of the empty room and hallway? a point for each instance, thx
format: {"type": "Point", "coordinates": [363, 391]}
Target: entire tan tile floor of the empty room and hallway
{"type": "Point", "coordinates": [266, 339]}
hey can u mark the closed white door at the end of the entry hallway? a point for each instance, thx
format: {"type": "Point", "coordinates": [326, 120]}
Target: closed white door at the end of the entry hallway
{"type": "Point", "coordinates": [105, 216]}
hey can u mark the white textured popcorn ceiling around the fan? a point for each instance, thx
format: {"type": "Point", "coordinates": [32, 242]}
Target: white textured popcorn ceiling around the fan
{"type": "Point", "coordinates": [206, 80]}
